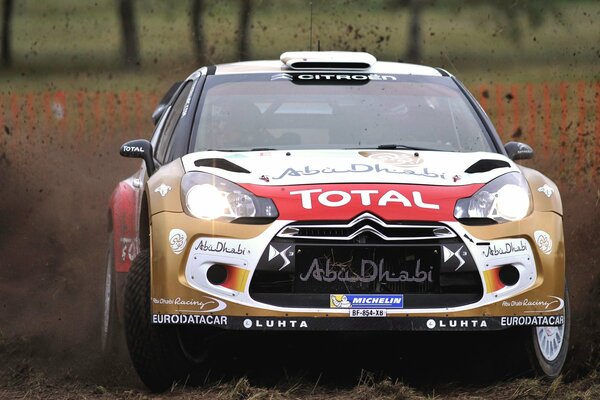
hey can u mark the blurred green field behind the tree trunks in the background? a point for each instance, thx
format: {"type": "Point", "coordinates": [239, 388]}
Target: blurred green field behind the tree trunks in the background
{"type": "Point", "coordinates": [71, 44]}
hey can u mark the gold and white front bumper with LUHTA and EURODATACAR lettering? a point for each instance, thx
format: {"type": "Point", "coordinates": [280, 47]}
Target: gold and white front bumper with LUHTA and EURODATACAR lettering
{"type": "Point", "coordinates": [188, 289]}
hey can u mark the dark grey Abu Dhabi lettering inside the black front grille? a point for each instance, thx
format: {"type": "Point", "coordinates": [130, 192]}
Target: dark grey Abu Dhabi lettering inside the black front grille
{"type": "Point", "coordinates": [370, 271]}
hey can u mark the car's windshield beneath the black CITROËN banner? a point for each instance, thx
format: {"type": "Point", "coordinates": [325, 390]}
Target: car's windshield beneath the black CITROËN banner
{"type": "Point", "coordinates": [297, 111]}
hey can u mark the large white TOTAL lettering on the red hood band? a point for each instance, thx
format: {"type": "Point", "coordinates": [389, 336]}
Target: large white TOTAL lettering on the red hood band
{"type": "Point", "coordinates": [339, 198]}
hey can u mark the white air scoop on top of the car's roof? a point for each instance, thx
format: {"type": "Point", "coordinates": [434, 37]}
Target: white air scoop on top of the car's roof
{"type": "Point", "coordinates": [327, 60]}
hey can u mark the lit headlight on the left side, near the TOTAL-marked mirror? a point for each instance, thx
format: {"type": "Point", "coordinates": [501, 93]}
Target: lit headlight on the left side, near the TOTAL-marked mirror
{"type": "Point", "coordinates": [210, 197]}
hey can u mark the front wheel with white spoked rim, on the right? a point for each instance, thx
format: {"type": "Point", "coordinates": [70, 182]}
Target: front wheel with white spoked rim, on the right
{"type": "Point", "coordinates": [547, 346]}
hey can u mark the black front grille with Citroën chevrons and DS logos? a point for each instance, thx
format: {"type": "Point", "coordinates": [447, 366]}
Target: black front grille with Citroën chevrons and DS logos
{"type": "Point", "coordinates": [427, 263]}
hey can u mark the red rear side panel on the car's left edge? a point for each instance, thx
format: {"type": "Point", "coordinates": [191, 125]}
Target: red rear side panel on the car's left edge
{"type": "Point", "coordinates": [123, 206]}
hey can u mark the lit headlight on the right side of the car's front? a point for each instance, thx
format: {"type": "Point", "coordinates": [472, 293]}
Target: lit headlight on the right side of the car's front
{"type": "Point", "coordinates": [506, 198]}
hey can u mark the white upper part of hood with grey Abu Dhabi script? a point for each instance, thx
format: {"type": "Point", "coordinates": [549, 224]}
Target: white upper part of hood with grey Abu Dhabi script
{"type": "Point", "coordinates": [302, 167]}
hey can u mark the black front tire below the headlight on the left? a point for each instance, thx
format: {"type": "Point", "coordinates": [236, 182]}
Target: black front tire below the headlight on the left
{"type": "Point", "coordinates": [154, 349]}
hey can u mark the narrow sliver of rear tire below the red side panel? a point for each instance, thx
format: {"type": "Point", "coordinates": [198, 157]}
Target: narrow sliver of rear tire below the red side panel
{"type": "Point", "coordinates": [111, 330]}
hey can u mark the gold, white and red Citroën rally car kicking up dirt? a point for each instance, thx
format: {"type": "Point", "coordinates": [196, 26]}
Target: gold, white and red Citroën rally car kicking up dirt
{"type": "Point", "coordinates": [328, 191]}
